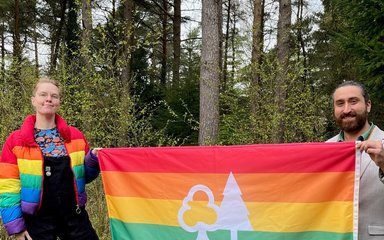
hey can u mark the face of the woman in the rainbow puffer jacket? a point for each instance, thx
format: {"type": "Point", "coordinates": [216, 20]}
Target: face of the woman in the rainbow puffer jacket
{"type": "Point", "coordinates": [47, 99]}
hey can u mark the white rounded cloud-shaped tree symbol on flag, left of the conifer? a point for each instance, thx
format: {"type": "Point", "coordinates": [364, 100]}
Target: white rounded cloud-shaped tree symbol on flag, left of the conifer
{"type": "Point", "coordinates": [196, 225]}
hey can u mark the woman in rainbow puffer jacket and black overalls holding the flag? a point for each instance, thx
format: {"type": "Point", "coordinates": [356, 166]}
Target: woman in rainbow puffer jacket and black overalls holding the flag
{"type": "Point", "coordinates": [44, 167]}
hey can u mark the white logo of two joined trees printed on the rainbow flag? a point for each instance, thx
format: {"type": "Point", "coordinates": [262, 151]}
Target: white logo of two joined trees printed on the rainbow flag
{"type": "Point", "coordinates": [232, 214]}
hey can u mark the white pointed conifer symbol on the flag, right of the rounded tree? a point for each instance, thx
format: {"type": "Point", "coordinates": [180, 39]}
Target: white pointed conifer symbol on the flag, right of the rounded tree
{"type": "Point", "coordinates": [233, 214]}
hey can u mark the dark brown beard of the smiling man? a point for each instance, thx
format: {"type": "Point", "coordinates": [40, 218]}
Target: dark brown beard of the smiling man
{"type": "Point", "coordinates": [355, 125]}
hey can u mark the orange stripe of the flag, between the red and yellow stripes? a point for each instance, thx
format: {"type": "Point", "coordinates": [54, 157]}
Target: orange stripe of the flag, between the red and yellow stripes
{"type": "Point", "coordinates": [277, 187]}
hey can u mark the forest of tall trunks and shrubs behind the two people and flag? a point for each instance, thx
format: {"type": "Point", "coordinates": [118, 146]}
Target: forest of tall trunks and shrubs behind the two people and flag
{"type": "Point", "coordinates": [149, 73]}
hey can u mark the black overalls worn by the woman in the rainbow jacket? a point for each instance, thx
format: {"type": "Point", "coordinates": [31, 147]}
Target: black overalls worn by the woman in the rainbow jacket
{"type": "Point", "coordinates": [59, 215]}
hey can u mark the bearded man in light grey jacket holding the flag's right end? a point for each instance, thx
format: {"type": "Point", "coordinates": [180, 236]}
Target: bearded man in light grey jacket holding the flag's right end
{"type": "Point", "coordinates": [352, 105]}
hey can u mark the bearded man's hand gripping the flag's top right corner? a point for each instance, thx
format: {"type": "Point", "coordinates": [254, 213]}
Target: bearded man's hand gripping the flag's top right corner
{"type": "Point", "coordinates": [375, 151]}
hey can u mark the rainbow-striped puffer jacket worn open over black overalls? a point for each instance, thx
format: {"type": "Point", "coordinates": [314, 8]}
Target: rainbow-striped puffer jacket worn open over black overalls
{"type": "Point", "coordinates": [21, 171]}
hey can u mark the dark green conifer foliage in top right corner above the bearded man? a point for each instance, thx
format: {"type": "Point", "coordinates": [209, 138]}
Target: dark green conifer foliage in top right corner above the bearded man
{"type": "Point", "coordinates": [361, 34]}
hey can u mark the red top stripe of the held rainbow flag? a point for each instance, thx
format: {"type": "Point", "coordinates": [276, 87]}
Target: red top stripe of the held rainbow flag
{"type": "Point", "coordinates": [262, 158]}
